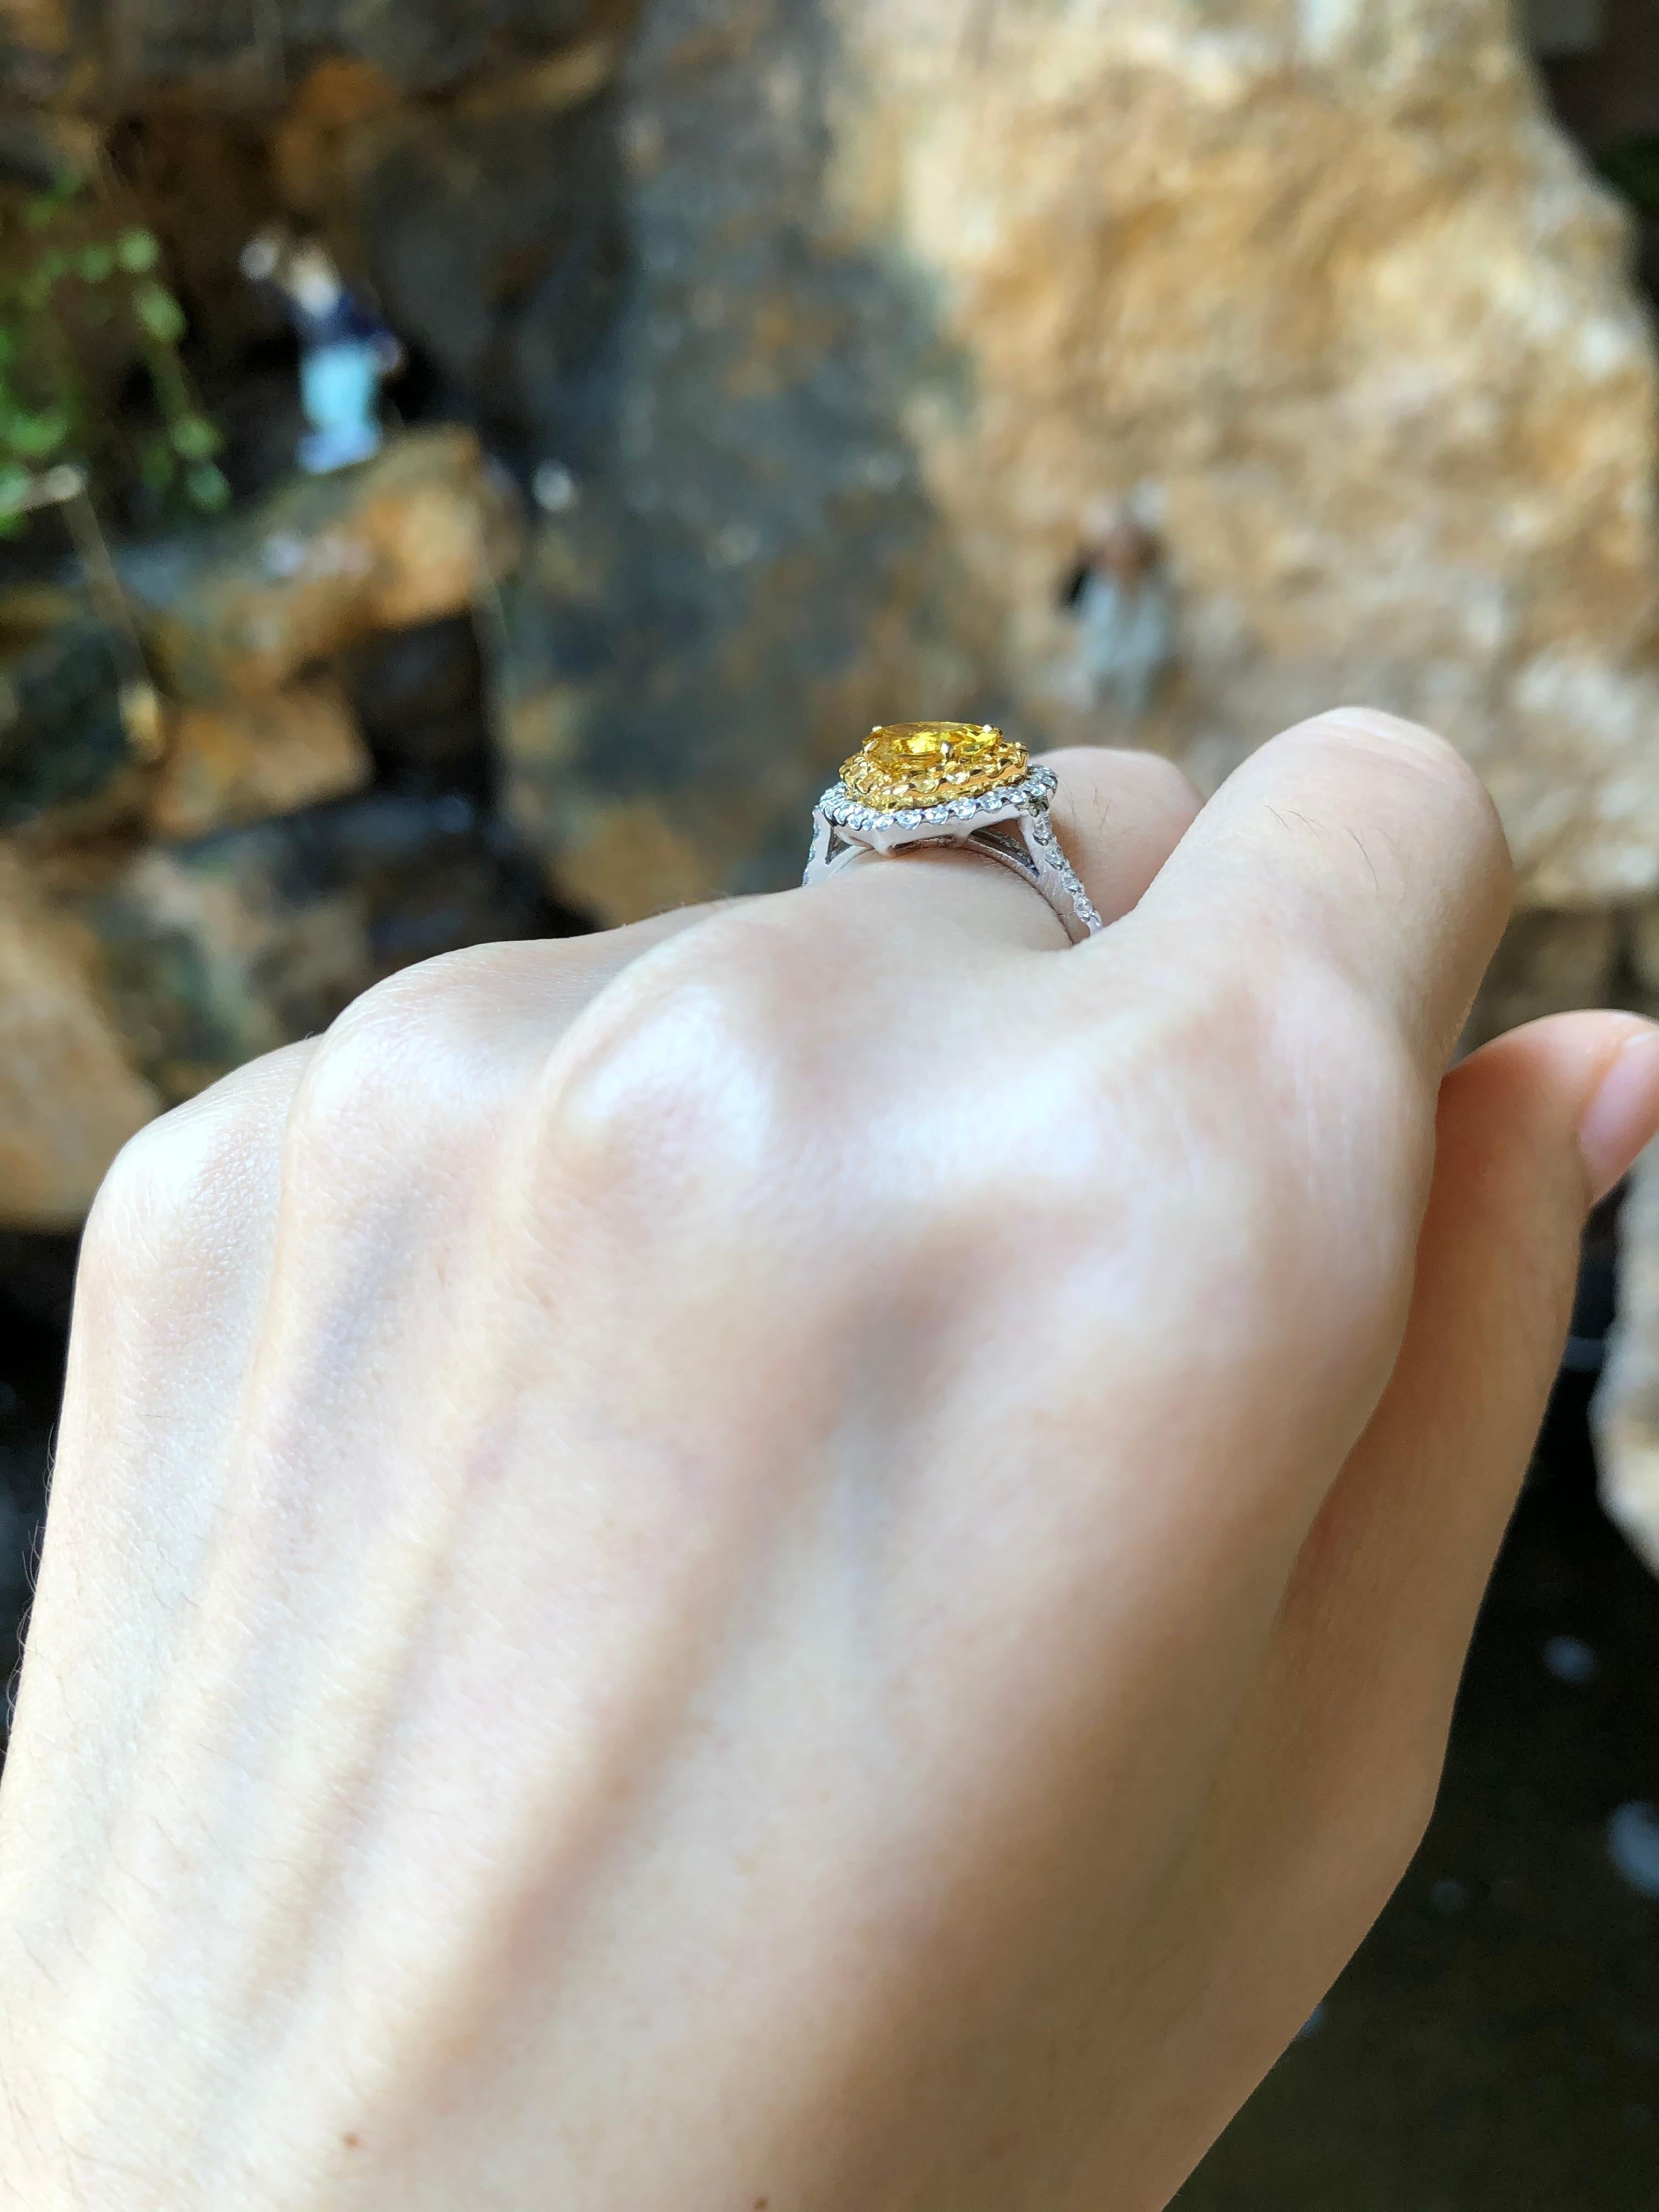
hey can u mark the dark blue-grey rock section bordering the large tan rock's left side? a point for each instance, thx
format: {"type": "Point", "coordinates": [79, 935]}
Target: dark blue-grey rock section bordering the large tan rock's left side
{"type": "Point", "coordinates": [753, 572]}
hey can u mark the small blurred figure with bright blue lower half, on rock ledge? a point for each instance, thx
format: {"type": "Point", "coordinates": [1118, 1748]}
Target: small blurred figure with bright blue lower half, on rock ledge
{"type": "Point", "coordinates": [346, 353]}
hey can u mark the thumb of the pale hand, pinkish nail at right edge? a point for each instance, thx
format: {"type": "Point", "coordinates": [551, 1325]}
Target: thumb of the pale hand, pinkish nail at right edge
{"type": "Point", "coordinates": [1532, 1134]}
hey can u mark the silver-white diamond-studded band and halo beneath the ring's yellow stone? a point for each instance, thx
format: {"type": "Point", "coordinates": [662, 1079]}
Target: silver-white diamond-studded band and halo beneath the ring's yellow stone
{"type": "Point", "coordinates": [1010, 826]}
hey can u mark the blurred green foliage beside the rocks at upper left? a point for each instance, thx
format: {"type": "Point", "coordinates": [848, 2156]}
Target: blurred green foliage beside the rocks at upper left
{"type": "Point", "coordinates": [83, 300]}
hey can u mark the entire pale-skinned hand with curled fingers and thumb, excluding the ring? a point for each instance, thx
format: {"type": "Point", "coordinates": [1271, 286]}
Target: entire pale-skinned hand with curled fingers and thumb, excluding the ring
{"type": "Point", "coordinates": [806, 1558]}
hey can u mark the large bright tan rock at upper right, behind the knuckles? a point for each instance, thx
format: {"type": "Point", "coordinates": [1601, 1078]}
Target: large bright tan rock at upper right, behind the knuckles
{"type": "Point", "coordinates": [1335, 291]}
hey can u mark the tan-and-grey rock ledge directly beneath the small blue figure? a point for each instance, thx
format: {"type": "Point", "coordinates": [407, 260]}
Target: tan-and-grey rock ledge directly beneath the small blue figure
{"type": "Point", "coordinates": [244, 609]}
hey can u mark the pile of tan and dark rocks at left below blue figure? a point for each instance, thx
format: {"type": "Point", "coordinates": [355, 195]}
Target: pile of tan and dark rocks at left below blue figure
{"type": "Point", "coordinates": [171, 912]}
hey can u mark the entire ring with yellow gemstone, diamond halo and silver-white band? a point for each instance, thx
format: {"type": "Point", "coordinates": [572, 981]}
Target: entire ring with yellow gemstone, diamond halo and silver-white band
{"type": "Point", "coordinates": [963, 784]}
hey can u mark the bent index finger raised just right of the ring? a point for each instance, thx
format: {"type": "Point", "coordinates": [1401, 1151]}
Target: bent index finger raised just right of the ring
{"type": "Point", "coordinates": [1364, 842]}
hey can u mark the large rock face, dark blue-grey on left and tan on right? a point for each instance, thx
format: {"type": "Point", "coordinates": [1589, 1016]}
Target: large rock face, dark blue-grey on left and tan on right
{"type": "Point", "coordinates": [921, 284]}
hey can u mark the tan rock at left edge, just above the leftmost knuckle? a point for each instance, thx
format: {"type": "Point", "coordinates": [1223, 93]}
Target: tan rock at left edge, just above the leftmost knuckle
{"type": "Point", "coordinates": [70, 1098]}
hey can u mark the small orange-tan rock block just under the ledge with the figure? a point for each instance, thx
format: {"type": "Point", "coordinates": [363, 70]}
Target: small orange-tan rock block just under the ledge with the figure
{"type": "Point", "coordinates": [249, 760]}
